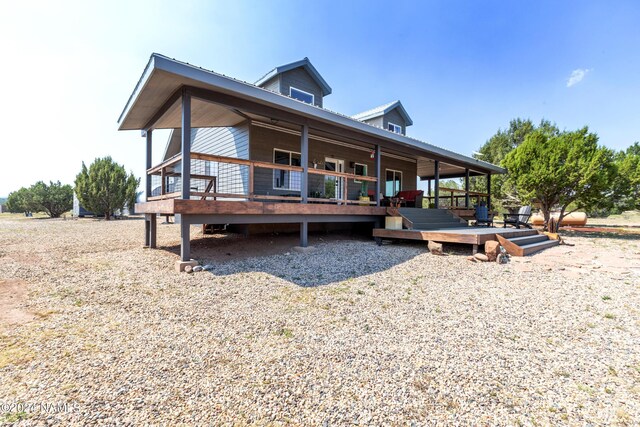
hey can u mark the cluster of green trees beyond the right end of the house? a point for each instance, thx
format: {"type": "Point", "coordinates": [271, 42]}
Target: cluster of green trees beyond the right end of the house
{"type": "Point", "coordinates": [563, 170]}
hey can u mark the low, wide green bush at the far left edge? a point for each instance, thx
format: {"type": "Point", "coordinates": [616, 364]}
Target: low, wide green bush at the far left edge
{"type": "Point", "coordinates": [53, 199]}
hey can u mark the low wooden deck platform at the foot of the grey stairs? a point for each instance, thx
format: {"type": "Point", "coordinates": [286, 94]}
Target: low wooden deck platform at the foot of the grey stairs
{"type": "Point", "coordinates": [470, 236]}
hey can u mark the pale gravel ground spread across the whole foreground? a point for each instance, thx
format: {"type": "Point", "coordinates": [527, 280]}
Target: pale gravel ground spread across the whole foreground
{"type": "Point", "coordinates": [350, 334]}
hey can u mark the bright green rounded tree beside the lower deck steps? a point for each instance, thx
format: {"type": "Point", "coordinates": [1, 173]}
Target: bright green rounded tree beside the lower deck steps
{"type": "Point", "coordinates": [559, 169]}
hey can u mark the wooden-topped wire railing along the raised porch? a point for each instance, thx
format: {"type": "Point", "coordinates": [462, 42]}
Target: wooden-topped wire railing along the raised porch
{"type": "Point", "coordinates": [245, 172]}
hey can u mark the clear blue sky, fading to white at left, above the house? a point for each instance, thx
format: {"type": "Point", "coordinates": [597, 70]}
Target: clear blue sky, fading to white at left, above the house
{"type": "Point", "coordinates": [462, 69]}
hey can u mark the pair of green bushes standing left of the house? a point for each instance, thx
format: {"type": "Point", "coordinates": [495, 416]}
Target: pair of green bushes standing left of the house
{"type": "Point", "coordinates": [103, 188]}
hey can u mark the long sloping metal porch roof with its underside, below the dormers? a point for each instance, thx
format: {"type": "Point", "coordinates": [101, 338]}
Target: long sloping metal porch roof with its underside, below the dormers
{"type": "Point", "coordinates": [163, 76]}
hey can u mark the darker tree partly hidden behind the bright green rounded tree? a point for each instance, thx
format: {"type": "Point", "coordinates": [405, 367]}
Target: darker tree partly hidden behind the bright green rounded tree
{"type": "Point", "coordinates": [496, 149]}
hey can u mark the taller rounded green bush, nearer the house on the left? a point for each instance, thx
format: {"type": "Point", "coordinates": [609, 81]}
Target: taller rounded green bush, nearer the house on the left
{"type": "Point", "coordinates": [104, 187]}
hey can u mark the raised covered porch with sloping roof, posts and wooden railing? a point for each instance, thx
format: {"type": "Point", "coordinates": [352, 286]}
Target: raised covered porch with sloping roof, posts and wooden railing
{"type": "Point", "coordinates": [191, 186]}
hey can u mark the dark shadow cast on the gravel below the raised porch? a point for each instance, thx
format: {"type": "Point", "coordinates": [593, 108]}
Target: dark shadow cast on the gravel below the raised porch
{"type": "Point", "coordinates": [335, 258]}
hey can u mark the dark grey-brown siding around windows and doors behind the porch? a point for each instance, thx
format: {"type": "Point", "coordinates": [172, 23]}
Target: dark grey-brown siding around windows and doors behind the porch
{"type": "Point", "coordinates": [264, 141]}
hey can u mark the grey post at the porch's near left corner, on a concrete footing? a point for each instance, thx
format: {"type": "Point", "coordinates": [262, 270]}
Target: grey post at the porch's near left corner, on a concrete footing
{"type": "Point", "coordinates": [185, 238]}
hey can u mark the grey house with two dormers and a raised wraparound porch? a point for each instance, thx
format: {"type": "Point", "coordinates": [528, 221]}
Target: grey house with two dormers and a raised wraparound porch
{"type": "Point", "coordinates": [269, 152]}
